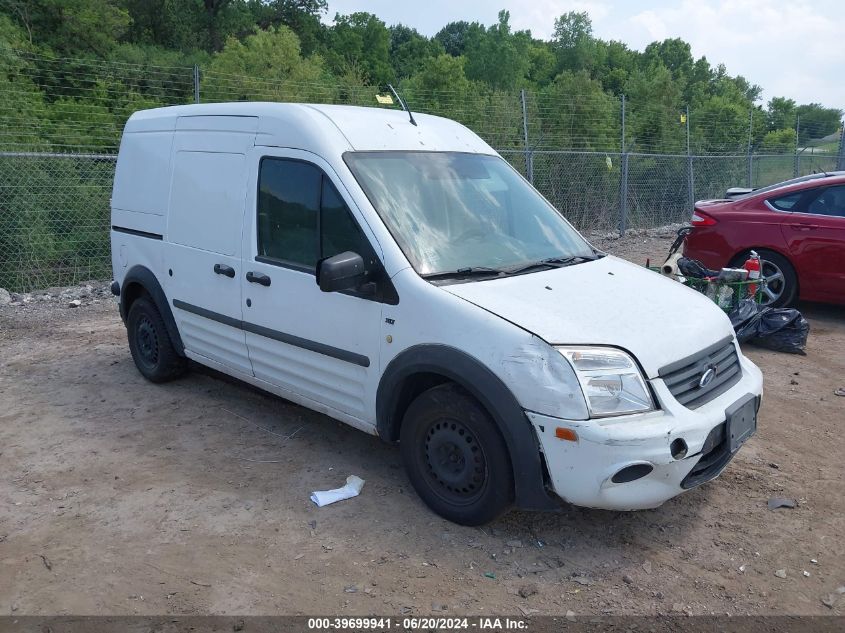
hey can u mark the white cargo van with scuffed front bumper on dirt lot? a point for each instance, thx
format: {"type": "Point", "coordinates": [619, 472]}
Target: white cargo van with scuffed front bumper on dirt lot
{"type": "Point", "coordinates": [401, 277]}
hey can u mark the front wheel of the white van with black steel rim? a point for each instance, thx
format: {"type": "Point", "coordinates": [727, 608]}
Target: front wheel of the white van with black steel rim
{"type": "Point", "coordinates": [455, 456]}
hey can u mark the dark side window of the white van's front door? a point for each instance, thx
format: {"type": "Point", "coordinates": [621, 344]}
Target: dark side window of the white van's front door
{"type": "Point", "coordinates": [301, 216]}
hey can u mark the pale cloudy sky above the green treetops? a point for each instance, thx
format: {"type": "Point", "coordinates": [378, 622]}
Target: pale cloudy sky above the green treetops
{"type": "Point", "coordinates": [791, 48]}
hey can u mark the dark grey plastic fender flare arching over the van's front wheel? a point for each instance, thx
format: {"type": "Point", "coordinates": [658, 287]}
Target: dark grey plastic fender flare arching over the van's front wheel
{"type": "Point", "coordinates": [491, 392]}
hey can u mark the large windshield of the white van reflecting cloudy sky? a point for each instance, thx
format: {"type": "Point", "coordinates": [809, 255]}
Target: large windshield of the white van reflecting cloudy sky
{"type": "Point", "coordinates": [453, 212]}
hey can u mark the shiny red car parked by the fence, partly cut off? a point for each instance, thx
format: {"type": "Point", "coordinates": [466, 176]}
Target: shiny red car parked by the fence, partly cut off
{"type": "Point", "coordinates": [797, 227]}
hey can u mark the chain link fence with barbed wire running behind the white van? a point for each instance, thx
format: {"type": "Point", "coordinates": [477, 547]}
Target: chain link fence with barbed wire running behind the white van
{"type": "Point", "coordinates": [60, 124]}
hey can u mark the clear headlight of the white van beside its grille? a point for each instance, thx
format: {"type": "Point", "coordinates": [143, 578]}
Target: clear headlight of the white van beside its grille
{"type": "Point", "coordinates": [610, 379]}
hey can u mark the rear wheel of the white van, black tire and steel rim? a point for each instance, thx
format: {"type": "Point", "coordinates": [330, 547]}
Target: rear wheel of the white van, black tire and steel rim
{"type": "Point", "coordinates": [150, 344]}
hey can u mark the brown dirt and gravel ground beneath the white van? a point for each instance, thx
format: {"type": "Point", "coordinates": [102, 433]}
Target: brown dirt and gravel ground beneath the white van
{"type": "Point", "coordinates": [118, 496]}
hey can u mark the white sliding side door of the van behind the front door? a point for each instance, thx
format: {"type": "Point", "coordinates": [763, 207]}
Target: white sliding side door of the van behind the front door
{"type": "Point", "coordinates": [203, 241]}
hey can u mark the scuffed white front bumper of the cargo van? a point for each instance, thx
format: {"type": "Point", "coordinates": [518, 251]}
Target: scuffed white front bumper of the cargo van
{"type": "Point", "coordinates": [586, 472]}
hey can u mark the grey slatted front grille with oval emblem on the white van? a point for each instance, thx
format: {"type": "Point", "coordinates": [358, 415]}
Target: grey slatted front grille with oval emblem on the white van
{"type": "Point", "coordinates": [683, 377]}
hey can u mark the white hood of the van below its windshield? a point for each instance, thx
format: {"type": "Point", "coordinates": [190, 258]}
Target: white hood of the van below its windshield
{"type": "Point", "coordinates": [605, 302]}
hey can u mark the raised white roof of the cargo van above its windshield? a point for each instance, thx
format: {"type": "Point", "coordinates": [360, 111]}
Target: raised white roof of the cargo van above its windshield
{"type": "Point", "coordinates": [323, 128]}
